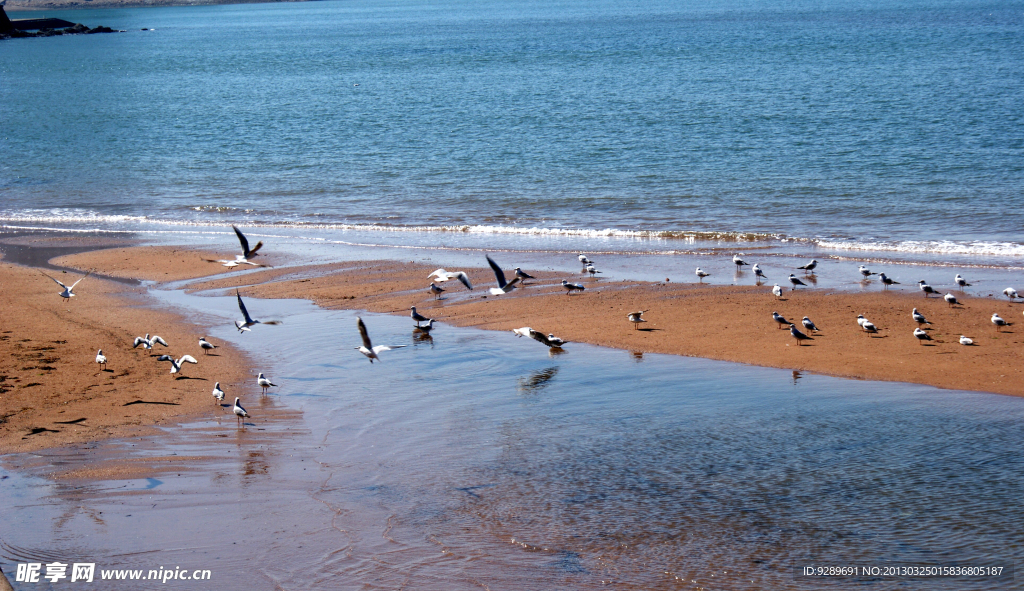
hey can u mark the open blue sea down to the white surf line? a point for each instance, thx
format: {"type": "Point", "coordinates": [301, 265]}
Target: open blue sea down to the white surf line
{"type": "Point", "coordinates": [880, 126]}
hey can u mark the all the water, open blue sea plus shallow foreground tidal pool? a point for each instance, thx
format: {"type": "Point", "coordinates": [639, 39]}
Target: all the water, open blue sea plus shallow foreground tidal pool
{"type": "Point", "coordinates": [655, 137]}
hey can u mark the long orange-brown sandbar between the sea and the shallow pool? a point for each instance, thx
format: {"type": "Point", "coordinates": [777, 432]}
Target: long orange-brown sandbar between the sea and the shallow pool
{"type": "Point", "coordinates": [726, 323]}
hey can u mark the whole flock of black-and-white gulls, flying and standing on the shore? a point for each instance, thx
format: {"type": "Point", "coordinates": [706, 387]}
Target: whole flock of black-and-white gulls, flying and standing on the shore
{"type": "Point", "coordinates": [504, 286]}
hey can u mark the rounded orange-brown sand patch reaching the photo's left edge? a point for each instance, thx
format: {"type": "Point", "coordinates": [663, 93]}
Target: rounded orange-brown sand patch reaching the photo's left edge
{"type": "Point", "coordinates": [53, 393]}
